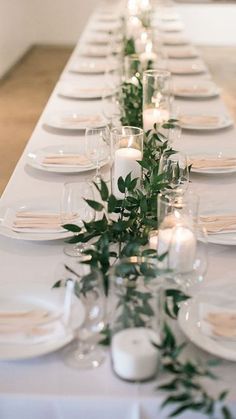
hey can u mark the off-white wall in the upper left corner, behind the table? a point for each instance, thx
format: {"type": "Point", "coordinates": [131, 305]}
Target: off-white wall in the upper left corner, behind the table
{"type": "Point", "coordinates": [27, 22]}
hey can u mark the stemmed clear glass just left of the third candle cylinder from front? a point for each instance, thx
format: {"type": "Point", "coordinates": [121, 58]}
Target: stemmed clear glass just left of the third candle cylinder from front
{"type": "Point", "coordinates": [98, 148]}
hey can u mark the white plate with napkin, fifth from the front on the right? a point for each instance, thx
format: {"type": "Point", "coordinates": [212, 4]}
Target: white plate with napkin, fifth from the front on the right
{"type": "Point", "coordinates": [198, 90]}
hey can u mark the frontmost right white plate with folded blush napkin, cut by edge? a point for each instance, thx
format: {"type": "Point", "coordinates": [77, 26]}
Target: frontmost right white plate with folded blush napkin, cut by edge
{"type": "Point", "coordinates": [209, 321]}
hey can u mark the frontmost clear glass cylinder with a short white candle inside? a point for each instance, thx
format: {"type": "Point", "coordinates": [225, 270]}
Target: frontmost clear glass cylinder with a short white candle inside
{"type": "Point", "coordinates": [135, 319]}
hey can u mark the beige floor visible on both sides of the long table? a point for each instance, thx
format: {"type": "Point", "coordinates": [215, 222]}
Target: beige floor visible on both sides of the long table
{"type": "Point", "coordinates": [24, 93]}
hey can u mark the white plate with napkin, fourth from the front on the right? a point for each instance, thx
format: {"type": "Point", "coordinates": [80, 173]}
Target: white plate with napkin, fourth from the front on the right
{"type": "Point", "coordinates": [223, 121]}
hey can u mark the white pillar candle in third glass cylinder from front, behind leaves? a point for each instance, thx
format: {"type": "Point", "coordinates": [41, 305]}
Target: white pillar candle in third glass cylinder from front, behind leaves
{"type": "Point", "coordinates": [125, 161]}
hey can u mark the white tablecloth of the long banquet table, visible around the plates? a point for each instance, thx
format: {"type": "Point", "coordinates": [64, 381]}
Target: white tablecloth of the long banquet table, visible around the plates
{"type": "Point", "coordinates": [43, 387]}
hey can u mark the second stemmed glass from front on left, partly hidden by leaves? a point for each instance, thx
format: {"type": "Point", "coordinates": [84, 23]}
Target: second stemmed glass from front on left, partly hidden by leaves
{"type": "Point", "coordinates": [75, 210]}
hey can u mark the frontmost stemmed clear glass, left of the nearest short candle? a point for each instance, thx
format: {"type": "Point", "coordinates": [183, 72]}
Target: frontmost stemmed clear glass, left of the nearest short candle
{"type": "Point", "coordinates": [89, 301]}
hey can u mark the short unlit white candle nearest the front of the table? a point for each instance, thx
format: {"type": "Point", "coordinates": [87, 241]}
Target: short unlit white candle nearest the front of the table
{"type": "Point", "coordinates": [133, 354]}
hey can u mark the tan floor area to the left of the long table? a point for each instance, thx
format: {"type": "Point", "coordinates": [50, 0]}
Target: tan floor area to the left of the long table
{"type": "Point", "coordinates": [23, 95]}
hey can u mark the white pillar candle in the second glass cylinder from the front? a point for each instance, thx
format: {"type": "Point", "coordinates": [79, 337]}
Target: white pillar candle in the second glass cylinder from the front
{"type": "Point", "coordinates": [180, 243]}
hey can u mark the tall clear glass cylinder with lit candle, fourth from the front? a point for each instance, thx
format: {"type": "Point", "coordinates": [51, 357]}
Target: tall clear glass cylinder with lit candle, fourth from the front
{"type": "Point", "coordinates": [156, 97]}
